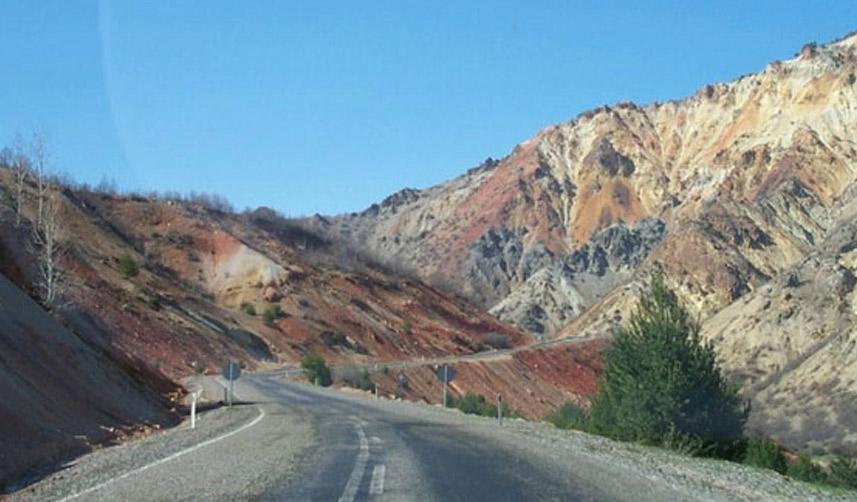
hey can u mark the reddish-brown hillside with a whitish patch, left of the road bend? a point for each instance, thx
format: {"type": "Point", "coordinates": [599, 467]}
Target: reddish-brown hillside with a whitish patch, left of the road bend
{"type": "Point", "coordinates": [205, 279]}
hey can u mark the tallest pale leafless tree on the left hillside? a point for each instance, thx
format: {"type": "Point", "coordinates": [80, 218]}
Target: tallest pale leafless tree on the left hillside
{"type": "Point", "coordinates": [48, 248]}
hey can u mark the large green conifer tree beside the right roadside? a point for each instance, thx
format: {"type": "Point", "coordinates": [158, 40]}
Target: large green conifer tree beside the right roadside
{"type": "Point", "coordinates": [662, 383]}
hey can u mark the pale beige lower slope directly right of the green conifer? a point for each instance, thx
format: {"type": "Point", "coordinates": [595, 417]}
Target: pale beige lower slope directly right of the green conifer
{"type": "Point", "coordinates": [793, 344]}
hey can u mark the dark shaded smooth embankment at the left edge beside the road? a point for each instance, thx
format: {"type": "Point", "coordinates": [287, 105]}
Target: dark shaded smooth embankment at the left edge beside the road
{"type": "Point", "coordinates": [60, 397]}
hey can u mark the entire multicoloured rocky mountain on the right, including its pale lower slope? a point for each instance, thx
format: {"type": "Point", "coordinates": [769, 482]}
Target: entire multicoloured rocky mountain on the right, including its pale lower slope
{"type": "Point", "coordinates": [732, 192]}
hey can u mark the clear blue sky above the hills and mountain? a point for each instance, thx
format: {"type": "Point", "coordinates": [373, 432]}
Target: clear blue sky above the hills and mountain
{"type": "Point", "coordinates": [323, 106]}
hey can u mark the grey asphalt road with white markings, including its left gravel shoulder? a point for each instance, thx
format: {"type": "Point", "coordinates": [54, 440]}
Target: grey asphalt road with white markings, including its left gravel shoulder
{"type": "Point", "coordinates": [290, 441]}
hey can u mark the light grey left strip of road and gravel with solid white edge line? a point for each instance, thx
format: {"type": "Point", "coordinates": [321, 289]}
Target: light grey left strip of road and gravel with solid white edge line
{"type": "Point", "coordinates": [235, 467]}
